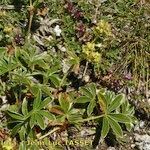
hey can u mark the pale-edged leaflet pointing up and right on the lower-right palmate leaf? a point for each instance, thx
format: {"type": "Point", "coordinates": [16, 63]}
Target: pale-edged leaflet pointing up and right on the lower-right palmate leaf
{"type": "Point", "coordinates": [116, 102]}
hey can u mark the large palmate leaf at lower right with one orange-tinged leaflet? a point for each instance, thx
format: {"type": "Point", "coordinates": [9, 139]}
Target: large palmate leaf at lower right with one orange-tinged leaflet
{"type": "Point", "coordinates": [113, 114]}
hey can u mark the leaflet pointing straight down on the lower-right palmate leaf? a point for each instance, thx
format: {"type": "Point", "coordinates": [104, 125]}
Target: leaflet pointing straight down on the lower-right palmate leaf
{"type": "Point", "coordinates": [105, 127]}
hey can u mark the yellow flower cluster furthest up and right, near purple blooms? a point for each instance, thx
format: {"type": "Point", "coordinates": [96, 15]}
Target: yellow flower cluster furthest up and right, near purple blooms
{"type": "Point", "coordinates": [103, 27]}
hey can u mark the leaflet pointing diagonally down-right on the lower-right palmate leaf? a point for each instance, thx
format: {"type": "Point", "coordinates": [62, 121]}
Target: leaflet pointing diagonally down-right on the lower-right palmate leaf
{"type": "Point", "coordinates": [115, 127]}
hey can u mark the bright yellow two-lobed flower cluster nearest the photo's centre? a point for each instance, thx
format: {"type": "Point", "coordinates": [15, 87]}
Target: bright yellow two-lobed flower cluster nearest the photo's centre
{"type": "Point", "coordinates": [90, 52]}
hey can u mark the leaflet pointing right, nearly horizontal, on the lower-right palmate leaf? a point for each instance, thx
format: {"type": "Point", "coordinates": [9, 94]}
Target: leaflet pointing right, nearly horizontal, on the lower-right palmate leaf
{"type": "Point", "coordinates": [120, 118]}
